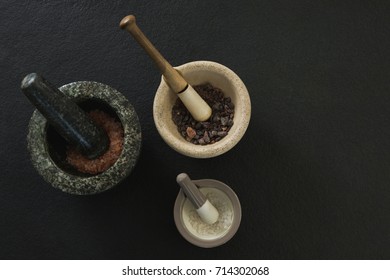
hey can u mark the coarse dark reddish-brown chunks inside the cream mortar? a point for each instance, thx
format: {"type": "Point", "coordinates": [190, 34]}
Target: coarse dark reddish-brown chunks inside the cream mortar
{"type": "Point", "coordinates": [212, 130]}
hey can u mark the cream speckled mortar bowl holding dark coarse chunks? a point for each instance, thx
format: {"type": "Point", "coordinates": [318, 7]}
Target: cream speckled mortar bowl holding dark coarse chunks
{"type": "Point", "coordinates": [195, 73]}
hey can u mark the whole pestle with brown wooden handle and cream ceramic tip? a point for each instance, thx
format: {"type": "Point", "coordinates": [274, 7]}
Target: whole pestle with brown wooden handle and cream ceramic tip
{"type": "Point", "coordinates": [198, 108]}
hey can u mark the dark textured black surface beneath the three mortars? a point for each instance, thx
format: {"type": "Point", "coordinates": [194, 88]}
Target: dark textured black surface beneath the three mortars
{"type": "Point", "coordinates": [312, 171]}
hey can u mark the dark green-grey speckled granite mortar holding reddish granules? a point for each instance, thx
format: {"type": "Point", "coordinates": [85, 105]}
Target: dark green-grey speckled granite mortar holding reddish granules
{"type": "Point", "coordinates": [81, 184]}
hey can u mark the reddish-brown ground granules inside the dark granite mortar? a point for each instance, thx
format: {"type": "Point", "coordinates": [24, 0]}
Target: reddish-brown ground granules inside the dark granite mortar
{"type": "Point", "coordinates": [114, 132]}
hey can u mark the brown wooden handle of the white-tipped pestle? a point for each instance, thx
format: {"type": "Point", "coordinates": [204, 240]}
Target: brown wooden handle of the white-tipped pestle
{"type": "Point", "coordinates": [173, 78]}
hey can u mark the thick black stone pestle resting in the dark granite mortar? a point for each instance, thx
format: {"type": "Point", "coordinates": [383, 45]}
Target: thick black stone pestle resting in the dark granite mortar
{"type": "Point", "coordinates": [67, 118]}
